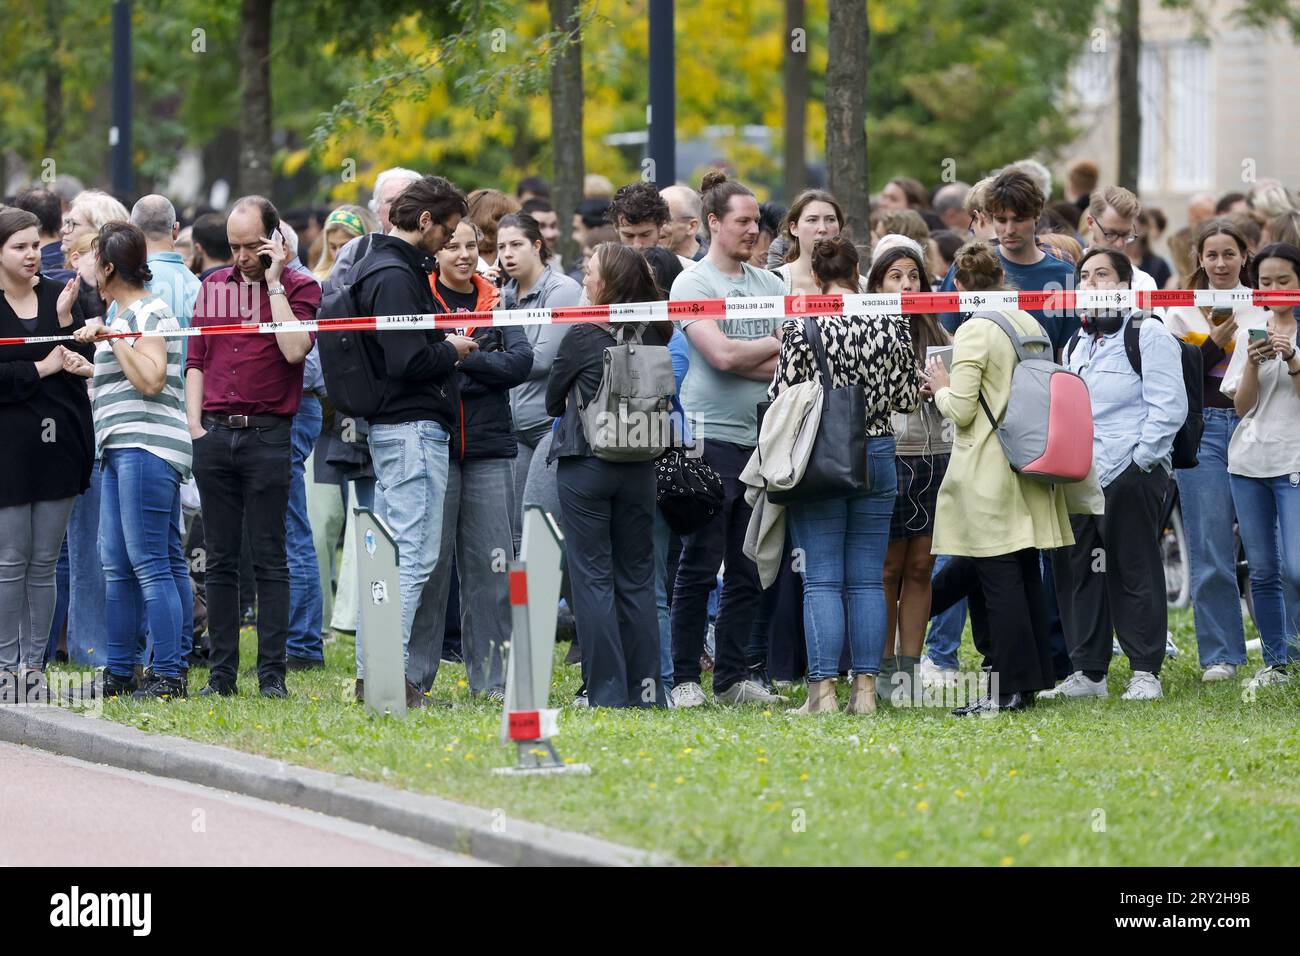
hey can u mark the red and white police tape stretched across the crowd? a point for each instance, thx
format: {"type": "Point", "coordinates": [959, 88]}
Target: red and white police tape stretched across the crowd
{"type": "Point", "coordinates": [757, 308]}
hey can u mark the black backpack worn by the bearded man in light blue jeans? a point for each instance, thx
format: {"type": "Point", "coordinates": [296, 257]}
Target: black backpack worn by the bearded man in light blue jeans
{"type": "Point", "coordinates": [350, 361]}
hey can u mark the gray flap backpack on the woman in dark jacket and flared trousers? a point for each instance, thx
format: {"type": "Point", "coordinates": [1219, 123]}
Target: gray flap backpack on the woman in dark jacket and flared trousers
{"type": "Point", "coordinates": [627, 419]}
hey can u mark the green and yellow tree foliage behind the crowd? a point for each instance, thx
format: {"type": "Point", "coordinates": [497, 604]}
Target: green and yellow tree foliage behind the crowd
{"type": "Point", "coordinates": [461, 86]}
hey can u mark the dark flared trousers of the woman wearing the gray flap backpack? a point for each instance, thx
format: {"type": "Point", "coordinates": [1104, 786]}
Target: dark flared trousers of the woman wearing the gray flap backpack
{"type": "Point", "coordinates": [609, 525]}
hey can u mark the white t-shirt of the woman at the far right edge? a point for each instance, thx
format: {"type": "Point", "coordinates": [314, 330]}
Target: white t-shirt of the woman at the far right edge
{"type": "Point", "coordinates": [1267, 444]}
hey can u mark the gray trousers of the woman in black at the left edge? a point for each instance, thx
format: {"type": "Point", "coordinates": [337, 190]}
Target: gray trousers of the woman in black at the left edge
{"type": "Point", "coordinates": [31, 538]}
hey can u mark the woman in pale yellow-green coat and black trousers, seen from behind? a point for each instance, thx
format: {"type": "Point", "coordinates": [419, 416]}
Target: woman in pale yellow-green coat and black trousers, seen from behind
{"type": "Point", "coordinates": [991, 520]}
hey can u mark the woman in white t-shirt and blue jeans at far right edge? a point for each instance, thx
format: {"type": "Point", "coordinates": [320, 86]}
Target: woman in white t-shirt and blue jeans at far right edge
{"type": "Point", "coordinates": [1264, 462]}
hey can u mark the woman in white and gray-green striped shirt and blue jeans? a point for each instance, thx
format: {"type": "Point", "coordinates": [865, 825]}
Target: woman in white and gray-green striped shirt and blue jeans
{"type": "Point", "coordinates": [142, 434]}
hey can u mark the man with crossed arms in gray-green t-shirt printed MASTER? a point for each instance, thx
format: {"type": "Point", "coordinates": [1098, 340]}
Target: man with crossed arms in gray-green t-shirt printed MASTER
{"type": "Point", "coordinates": [731, 364]}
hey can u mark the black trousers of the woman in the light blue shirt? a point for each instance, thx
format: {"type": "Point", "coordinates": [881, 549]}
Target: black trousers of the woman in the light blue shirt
{"type": "Point", "coordinates": [1113, 577]}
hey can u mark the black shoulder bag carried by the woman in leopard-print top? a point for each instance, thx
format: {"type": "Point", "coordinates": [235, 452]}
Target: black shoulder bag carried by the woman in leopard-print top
{"type": "Point", "coordinates": [838, 465]}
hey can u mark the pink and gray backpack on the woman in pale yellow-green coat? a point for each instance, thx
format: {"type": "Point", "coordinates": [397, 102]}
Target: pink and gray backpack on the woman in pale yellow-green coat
{"type": "Point", "coordinates": [1047, 429]}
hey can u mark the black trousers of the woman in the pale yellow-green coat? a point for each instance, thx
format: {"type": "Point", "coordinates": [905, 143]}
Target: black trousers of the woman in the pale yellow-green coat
{"type": "Point", "coordinates": [1009, 617]}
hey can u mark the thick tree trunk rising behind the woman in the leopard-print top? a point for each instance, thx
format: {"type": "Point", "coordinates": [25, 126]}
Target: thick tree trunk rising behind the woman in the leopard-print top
{"type": "Point", "coordinates": [847, 114]}
